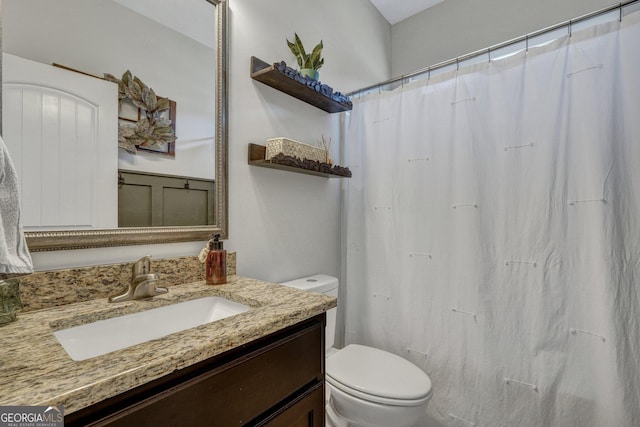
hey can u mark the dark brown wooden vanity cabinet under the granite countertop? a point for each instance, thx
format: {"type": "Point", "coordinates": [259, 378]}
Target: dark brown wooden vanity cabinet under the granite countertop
{"type": "Point", "coordinates": [277, 380]}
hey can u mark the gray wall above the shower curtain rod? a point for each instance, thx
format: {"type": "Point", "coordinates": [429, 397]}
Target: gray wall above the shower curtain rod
{"type": "Point", "coordinates": [457, 27]}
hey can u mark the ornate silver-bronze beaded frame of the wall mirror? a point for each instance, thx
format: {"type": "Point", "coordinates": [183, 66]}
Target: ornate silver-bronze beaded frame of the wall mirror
{"type": "Point", "coordinates": [60, 240]}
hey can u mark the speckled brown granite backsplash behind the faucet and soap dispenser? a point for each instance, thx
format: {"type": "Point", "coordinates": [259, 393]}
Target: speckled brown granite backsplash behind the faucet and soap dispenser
{"type": "Point", "coordinates": [59, 287]}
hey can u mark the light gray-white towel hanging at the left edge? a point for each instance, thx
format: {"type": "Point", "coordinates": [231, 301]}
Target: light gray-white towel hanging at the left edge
{"type": "Point", "coordinates": [14, 253]}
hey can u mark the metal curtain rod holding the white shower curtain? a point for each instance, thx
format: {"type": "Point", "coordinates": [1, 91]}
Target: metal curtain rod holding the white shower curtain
{"type": "Point", "coordinates": [488, 50]}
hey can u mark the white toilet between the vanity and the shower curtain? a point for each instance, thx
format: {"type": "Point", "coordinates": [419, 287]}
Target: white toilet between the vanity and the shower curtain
{"type": "Point", "coordinates": [367, 387]}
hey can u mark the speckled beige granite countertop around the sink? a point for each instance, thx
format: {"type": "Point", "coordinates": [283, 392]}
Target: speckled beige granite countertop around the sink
{"type": "Point", "coordinates": [36, 370]}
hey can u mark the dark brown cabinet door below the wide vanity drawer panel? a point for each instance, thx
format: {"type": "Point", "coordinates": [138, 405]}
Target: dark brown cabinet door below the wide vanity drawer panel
{"type": "Point", "coordinates": [306, 411]}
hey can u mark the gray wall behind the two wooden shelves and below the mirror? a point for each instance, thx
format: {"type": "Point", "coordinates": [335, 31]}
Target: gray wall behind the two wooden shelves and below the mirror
{"type": "Point", "coordinates": [283, 225]}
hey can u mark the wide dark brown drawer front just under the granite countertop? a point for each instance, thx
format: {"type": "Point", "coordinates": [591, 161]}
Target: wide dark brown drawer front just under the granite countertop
{"type": "Point", "coordinates": [236, 392]}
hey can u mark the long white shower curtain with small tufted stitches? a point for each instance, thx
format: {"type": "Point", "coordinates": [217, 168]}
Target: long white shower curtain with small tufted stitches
{"type": "Point", "coordinates": [493, 233]}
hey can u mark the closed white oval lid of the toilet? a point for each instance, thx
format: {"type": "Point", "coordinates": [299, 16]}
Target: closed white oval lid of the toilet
{"type": "Point", "coordinates": [378, 373]}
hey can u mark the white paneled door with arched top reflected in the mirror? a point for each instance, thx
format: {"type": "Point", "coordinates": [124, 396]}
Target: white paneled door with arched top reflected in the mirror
{"type": "Point", "coordinates": [61, 129]}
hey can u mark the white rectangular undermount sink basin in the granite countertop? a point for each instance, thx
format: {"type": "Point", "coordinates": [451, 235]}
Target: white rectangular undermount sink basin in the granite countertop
{"type": "Point", "coordinates": [104, 336]}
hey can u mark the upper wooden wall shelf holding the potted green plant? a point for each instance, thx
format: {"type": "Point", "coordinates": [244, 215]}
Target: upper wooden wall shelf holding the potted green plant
{"type": "Point", "coordinates": [269, 75]}
